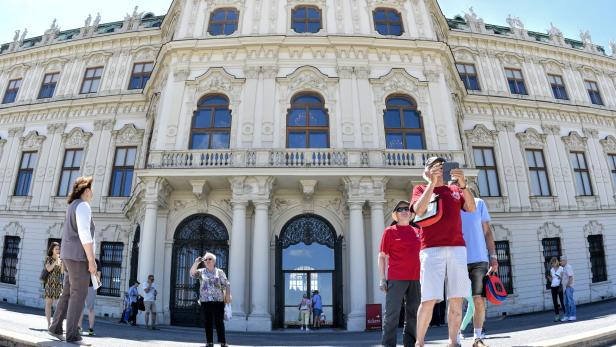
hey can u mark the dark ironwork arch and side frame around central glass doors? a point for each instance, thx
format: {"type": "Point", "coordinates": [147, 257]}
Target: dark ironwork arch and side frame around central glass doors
{"type": "Point", "coordinates": [307, 236]}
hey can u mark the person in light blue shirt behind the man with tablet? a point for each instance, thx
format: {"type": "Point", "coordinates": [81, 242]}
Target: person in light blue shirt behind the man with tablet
{"type": "Point", "coordinates": [481, 260]}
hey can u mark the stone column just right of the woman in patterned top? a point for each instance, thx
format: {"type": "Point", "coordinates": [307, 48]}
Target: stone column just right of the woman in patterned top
{"type": "Point", "coordinates": [237, 266]}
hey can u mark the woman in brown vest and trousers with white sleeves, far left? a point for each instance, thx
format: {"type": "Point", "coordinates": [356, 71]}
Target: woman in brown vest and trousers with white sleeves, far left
{"type": "Point", "coordinates": [77, 254]}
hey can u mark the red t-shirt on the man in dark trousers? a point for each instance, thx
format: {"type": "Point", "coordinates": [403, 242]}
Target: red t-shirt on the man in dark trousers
{"type": "Point", "coordinates": [401, 244]}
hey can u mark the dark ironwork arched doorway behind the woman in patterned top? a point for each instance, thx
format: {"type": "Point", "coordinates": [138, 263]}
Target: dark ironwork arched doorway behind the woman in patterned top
{"type": "Point", "coordinates": [193, 237]}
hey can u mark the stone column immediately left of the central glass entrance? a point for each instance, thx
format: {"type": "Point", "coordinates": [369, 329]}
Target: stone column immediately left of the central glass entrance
{"type": "Point", "coordinates": [260, 319]}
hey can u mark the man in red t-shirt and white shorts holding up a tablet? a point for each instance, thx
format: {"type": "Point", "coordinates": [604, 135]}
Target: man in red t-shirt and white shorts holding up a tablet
{"type": "Point", "coordinates": [443, 251]}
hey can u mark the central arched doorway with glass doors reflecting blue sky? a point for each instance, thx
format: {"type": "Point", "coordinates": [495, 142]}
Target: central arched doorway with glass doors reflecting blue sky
{"type": "Point", "coordinates": [308, 257]}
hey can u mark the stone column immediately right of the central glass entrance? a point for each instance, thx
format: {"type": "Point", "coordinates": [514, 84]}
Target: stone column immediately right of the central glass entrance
{"type": "Point", "coordinates": [357, 266]}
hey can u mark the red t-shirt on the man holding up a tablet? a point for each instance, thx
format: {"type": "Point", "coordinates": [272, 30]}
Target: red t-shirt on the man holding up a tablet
{"type": "Point", "coordinates": [448, 231]}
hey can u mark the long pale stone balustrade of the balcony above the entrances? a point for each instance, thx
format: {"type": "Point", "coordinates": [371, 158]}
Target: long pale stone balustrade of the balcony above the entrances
{"type": "Point", "coordinates": [296, 158]}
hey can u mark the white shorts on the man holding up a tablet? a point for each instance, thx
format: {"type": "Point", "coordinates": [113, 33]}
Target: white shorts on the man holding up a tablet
{"type": "Point", "coordinates": [444, 268]}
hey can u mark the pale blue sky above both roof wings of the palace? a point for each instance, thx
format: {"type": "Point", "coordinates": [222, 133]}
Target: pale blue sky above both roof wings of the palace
{"type": "Point", "coordinates": [570, 16]}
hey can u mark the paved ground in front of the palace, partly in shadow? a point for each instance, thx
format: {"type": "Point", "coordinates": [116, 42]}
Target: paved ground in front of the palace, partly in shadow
{"type": "Point", "coordinates": [523, 330]}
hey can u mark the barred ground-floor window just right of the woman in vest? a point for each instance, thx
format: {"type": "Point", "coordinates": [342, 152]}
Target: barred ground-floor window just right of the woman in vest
{"type": "Point", "coordinates": [111, 268]}
